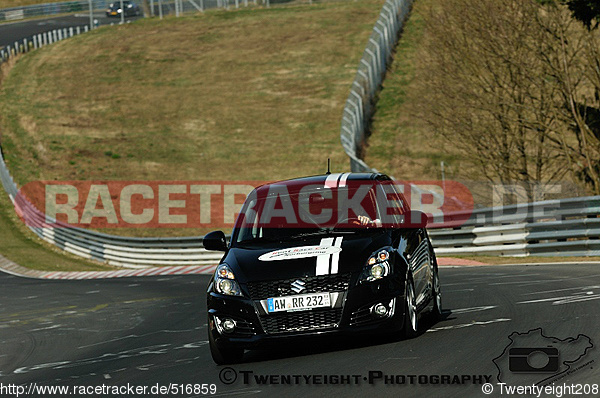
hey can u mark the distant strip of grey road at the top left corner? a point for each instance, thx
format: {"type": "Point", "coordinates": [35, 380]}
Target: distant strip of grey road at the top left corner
{"type": "Point", "coordinates": [13, 31]}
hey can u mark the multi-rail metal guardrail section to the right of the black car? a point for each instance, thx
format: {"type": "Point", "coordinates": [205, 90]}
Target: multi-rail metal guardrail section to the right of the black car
{"type": "Point", "coordinates": [566, 227]}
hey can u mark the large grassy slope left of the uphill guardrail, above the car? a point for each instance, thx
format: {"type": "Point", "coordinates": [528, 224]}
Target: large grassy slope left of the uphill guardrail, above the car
{"type": "Point", "coordinates": [253, 94]}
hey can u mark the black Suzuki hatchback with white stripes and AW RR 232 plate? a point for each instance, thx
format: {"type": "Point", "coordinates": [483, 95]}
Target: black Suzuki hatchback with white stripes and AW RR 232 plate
{"type": "Point", "coordinates": [320, 255]}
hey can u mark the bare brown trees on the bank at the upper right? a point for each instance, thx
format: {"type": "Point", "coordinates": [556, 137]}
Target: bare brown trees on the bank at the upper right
{"type": "Point", "coordinates": [515, 85]}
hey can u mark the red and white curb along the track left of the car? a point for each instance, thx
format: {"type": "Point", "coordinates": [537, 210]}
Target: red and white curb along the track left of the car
{"type": "Point", "coordinates": [14, 269]}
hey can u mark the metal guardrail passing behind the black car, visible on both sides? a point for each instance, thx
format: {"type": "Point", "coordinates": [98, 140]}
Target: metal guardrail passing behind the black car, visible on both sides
{"type": "Point", "coordinates": [567, 227]}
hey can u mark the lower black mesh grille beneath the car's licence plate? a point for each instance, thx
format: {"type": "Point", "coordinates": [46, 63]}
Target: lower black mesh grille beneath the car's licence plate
{"type": "Point", "coordinates": [301, 321]}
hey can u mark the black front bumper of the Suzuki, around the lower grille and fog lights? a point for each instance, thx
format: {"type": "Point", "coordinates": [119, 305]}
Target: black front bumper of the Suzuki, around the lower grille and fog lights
{"type": "Point", "coordinates": [351, 313]}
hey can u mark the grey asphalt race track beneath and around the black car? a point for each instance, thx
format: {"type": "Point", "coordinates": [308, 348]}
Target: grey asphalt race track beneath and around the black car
{"type": "Point", "coordinates": [149, 331]}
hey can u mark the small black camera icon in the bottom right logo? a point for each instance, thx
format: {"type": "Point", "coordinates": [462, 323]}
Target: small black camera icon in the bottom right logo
{"type": "Point", "coordinates": [533, 360]}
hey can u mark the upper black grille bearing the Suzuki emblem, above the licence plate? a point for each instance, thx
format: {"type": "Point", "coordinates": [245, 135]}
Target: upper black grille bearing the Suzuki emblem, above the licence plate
{"type": "Point", "coordinates": [313, 284]}
